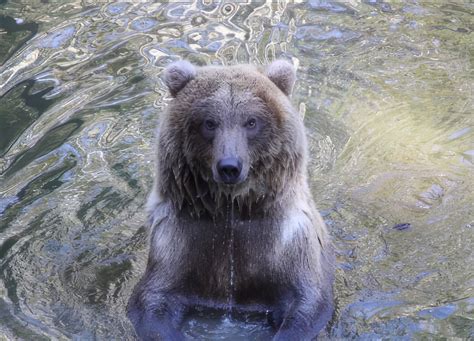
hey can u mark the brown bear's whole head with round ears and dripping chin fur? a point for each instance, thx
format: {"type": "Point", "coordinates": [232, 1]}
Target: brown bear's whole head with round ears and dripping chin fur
{"type": "Point", "coordinates": [229, 132]}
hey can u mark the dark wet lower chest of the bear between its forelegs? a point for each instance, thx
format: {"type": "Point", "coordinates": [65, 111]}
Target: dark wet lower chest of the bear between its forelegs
{"type": "Point", "coordinates": [233, 266]}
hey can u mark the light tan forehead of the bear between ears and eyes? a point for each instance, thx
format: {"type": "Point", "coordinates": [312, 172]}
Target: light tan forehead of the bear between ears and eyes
{"type": "Point", "coordinates": [242, 84]}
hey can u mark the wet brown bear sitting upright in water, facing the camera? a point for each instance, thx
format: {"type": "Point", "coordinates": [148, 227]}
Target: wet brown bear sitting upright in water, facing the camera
{"type": "Point", "coordinates": [233, 223]}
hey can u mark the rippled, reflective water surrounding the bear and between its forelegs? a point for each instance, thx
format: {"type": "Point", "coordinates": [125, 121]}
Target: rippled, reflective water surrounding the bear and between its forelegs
{"type": "Point", "coordinates": [386, 90]}
